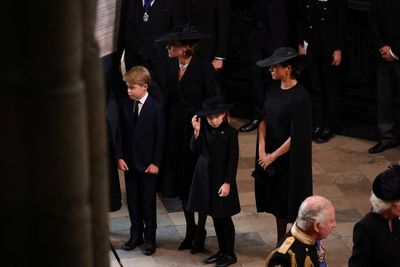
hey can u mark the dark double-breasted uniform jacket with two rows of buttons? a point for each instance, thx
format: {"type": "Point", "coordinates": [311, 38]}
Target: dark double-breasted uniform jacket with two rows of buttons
{"type": "Point", "coordinates": [322, 25]}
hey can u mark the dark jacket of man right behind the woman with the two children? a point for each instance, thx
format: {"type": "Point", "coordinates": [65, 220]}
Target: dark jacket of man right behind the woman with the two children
{"type": "Point", "coordinates": [211, 17]}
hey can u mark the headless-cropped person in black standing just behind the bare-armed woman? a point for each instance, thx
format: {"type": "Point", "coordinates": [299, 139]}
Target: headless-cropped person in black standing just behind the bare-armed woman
{"type": "Point", "coordinates": [269, 31]}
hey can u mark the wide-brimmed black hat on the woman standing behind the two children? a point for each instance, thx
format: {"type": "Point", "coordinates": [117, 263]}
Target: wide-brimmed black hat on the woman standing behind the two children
{"type": "Point", "coordinates": [182, 32]}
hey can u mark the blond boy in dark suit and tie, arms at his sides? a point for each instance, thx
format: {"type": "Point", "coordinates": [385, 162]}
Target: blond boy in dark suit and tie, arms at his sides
{"type": "Point", "coordinates": [138, 152]}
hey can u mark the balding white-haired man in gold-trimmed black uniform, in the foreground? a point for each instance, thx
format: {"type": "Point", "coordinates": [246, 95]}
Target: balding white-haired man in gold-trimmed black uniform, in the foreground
{"type": "Point", "coordinates": [301, 245]}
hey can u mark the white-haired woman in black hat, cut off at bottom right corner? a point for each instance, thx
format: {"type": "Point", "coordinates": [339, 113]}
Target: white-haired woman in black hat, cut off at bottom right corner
{"type": "Point", "coordinates": [376, 237]}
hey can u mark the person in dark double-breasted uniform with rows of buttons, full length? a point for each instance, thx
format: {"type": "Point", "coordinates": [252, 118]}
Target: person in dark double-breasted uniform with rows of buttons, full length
{"type": "Point", "coordinates": [321, 35]}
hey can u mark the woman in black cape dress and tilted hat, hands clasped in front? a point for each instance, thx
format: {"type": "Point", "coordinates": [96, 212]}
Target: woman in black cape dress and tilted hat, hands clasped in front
{"type": "Point", "coordinates": [283, 167]}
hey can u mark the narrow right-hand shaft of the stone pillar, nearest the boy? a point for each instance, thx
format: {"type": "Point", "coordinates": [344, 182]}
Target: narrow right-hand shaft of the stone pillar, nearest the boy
{"type": "Point", "coordinates": [95, 99]}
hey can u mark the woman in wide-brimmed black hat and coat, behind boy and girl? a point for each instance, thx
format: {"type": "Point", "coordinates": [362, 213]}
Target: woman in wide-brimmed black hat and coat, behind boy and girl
{"type": "Point", "coordinates": [190, 80]}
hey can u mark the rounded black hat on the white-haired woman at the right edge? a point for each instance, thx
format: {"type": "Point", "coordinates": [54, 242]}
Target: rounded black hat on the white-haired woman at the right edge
{"type": "Point", "coordinates": [386, 185]}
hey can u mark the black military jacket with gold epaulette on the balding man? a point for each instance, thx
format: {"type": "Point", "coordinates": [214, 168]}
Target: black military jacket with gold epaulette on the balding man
{"type": "Point", "coordinates": [296, 249]}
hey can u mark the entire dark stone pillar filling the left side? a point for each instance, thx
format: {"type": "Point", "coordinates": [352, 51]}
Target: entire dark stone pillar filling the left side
{"type": "Point", "coordinates": [52, 158]}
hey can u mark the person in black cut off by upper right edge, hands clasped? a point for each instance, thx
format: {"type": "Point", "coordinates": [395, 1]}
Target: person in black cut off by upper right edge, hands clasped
{"type": "Point", "coordinates": [384, 19]}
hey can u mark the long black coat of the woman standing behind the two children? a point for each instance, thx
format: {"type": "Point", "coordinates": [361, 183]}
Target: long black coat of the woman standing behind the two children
{"type": "Point", "coordinates": [183, 100]}
